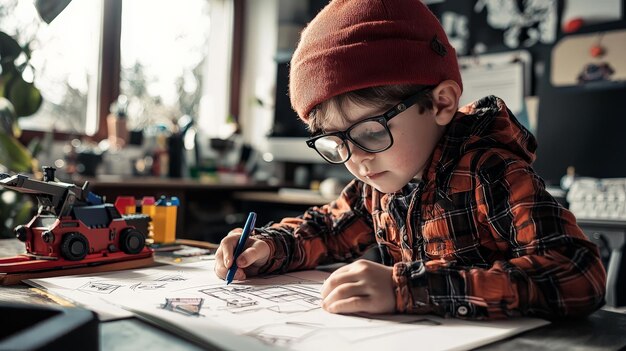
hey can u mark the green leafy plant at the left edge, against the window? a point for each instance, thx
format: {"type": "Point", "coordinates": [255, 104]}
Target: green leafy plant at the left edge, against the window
{"type": "Point", "coordinates": [18, 97]}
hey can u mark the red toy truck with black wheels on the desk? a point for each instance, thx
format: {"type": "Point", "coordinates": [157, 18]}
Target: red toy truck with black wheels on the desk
{"type": "Point", "coordinates": [73, 227]}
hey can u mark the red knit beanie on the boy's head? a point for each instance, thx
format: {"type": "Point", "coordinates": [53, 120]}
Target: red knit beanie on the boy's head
{"type": "Point", "coordinates": [356, 44]}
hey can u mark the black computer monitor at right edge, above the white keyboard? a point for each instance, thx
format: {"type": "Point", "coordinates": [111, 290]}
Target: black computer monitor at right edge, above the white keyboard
{"type": "Point", "coordinates": [583, 127]}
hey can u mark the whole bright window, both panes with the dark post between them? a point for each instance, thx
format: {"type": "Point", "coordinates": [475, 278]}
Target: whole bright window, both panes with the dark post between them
{"type": "Point", "coordinates": [161, 51]}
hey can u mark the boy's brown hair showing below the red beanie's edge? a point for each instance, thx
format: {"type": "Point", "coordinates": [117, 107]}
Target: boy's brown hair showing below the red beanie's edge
{"type": "Point", "coordinates": [379, 97]}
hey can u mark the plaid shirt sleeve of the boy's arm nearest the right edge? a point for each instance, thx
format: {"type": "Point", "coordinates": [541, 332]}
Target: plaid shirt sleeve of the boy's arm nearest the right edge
{"type": "Point", "coordinates": [550, 270]}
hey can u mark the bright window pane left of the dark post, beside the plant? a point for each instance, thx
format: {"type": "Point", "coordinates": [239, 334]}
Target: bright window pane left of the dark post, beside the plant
{"type": "Point", "coordinates": [64, 62]}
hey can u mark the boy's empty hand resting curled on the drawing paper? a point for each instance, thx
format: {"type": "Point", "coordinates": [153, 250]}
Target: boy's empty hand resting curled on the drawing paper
{"type": "Point", "coordinates": [362, 286]}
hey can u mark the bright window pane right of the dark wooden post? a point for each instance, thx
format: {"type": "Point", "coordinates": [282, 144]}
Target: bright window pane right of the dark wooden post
{"type": "Point", "coordinates": [164, 47]}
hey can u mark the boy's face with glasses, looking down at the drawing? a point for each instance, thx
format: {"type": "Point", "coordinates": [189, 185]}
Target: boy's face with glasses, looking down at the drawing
{"type": "Point", "coordinates": [415, 136]}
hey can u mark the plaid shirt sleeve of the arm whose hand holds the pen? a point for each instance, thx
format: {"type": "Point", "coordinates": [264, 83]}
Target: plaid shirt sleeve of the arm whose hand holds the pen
{"type": "Point", "coordinates": [337, 232]}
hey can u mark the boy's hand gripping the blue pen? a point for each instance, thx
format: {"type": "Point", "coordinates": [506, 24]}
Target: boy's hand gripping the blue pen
{"type": "Point", "coordinates": [251, 259]}
